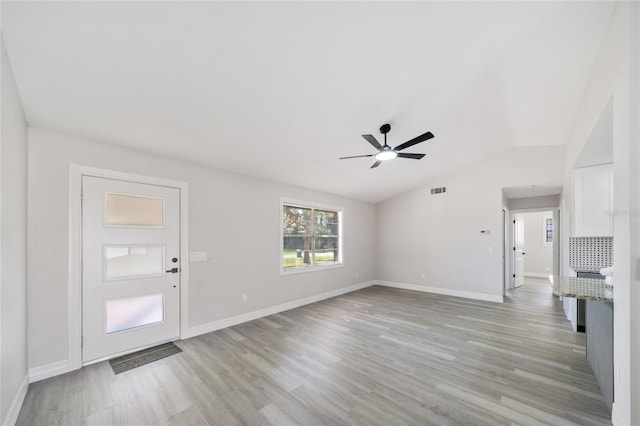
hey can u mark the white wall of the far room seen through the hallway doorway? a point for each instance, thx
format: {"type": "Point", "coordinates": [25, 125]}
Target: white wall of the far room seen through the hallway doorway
{"type": "Point", "coordinates": [538, 261]}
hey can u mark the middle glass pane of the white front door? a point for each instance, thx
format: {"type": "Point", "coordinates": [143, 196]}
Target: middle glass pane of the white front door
{"type": "Point", "coordinates": [133, 261]}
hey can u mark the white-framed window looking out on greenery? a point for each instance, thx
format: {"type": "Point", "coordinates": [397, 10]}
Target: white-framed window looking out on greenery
{"type": "Point", "coordinates": [311, 236]}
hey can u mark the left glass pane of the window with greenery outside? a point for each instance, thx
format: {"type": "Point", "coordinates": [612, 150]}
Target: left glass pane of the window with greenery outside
{"type": "Point", "coordinates": [297, 236]}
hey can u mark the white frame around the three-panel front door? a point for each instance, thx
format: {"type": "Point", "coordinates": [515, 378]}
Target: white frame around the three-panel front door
{"type": "Point", "coordinates": [75, 250]}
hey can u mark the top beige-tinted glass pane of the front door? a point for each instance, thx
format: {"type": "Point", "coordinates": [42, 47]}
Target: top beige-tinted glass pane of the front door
{"type": "Point", "coordinates": [134, 210]}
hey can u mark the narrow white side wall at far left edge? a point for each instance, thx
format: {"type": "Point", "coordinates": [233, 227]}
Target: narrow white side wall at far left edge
{"type": "Point", "coordinates": [13, 250]}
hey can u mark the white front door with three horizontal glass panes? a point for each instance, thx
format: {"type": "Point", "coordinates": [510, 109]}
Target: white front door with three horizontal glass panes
{"type": "Point", "coordinates": [130, 266]}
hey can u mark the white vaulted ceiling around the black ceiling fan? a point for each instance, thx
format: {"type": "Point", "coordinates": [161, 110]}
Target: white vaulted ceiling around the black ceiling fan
{"type": "Point", "coordinates": [281, 90]}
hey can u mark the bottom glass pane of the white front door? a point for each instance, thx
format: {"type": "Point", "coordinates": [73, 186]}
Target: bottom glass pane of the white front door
{"type": "Point", "coordinates": [131, 312]}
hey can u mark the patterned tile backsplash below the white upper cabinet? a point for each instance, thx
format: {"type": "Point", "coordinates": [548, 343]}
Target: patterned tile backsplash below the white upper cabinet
{"type": "Point", "coordinates": [590, 253]}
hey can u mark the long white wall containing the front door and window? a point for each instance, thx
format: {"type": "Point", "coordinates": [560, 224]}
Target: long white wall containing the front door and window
{"type": "Point", "coordinates": [234, 218]}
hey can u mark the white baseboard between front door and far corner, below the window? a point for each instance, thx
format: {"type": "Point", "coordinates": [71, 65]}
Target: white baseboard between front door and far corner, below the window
{"type": "Point", "coordinates": [250, 316]}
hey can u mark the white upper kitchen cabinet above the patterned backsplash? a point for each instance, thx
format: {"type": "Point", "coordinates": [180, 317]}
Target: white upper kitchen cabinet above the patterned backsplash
{"type": "Point", "coordinates": [593, 201]}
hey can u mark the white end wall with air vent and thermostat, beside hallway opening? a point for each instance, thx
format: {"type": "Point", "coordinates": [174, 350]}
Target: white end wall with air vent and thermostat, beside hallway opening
{"type": "Point", "coordinates": [433, 242]}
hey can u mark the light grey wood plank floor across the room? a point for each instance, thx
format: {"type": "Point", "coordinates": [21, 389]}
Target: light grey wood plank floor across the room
{"type": "Point", "coordinates": [376, 356]}
